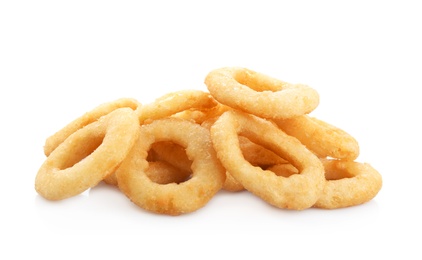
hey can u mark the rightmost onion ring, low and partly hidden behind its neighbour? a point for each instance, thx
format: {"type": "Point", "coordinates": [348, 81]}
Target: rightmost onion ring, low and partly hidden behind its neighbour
{"type": "Point", "coordinates": [349, 183]}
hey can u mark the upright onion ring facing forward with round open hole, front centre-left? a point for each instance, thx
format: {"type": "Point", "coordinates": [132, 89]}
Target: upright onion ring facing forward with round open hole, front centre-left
{"type": "Point", "coordinates": [208, 175]}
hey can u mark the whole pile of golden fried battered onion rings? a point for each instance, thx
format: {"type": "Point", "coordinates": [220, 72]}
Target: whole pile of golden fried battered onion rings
{"type": "Point", "coordinates": [248, 132]}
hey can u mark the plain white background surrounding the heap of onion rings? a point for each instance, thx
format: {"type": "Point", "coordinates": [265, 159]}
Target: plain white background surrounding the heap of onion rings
{"type": "Point", "coordinates": [59, 59]}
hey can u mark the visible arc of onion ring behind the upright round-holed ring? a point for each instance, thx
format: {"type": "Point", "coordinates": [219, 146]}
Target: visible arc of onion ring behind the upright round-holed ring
{"type": "Point", "coordinates": [173, 103]}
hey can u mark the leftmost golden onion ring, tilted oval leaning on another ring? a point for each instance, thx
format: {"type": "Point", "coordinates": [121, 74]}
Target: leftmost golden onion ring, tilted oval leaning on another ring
{"type": "Point", "coordinates": [88, 155]}
